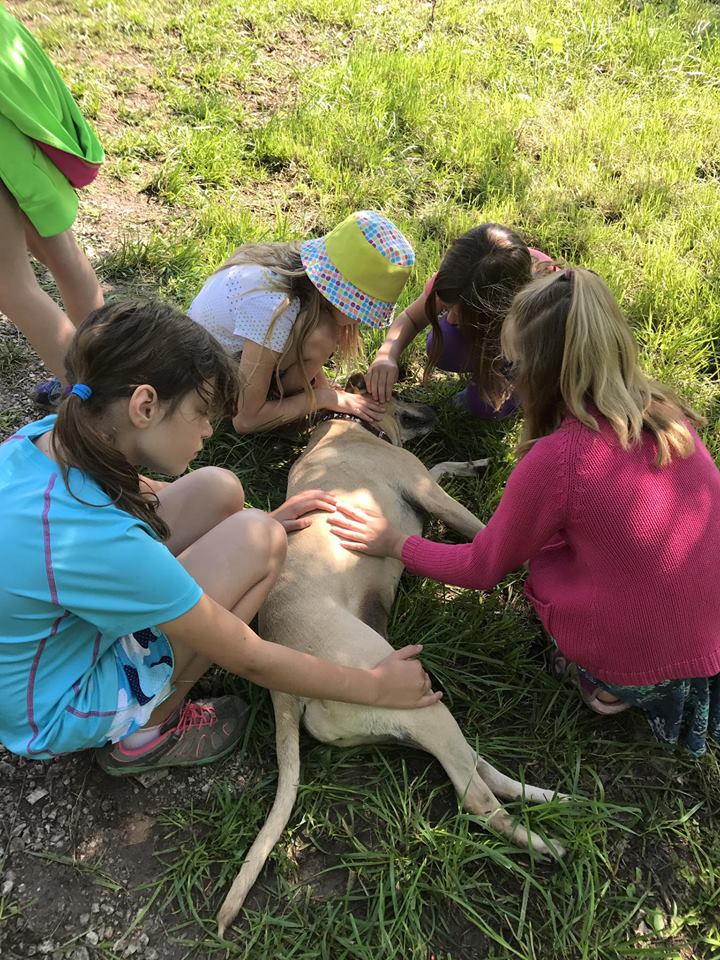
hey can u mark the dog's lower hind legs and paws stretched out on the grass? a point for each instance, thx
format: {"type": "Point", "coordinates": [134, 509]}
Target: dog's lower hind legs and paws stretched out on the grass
{"type": "Point", "coordinates": [434, 729]}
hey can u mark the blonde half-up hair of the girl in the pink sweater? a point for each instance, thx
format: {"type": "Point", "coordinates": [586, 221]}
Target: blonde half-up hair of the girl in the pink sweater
{"type": "Point", "coordinates": [571, 346]}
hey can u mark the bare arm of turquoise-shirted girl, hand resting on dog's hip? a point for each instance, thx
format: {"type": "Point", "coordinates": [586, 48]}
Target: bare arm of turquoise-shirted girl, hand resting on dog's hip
{"type": "Point", "coordinates": [216, 633]}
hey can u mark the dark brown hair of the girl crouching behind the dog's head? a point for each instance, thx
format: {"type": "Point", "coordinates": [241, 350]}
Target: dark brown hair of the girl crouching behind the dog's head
{"type": "Point", "coordinates": [480, 274]}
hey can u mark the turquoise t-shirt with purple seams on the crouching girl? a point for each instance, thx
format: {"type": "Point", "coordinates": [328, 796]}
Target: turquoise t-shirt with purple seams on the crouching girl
{"type": "Point", "coordinates": [76, 573]}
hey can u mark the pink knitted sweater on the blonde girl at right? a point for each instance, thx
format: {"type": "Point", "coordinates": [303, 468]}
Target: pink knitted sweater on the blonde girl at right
{"type": "Point", "coordinates": [623, 557]}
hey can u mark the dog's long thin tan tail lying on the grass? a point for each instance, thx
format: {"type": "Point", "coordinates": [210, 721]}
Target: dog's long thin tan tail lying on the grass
{"type": "Point", "coordinates": [287, 742]}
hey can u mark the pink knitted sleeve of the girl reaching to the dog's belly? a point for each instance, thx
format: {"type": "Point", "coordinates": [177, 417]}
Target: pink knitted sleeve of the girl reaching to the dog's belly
{"type": "Point", "coordinates": [532, 510]}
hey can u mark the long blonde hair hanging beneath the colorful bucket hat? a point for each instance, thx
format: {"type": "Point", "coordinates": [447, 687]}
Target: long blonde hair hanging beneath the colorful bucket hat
{"type": "Point", "coordinates": [288, 276]}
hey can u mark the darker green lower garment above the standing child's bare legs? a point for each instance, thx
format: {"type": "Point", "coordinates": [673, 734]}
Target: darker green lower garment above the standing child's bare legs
{"type": "Point", "coordinates": [41, 190]}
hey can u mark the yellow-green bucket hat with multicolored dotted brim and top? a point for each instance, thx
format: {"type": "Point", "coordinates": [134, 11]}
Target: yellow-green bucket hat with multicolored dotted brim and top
{"type": "Point", "coordinates": [361, 266]}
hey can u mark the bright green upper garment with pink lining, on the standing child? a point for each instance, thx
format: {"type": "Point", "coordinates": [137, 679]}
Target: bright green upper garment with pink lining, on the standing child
{"type": "Point", "coordinates": [34, 97]}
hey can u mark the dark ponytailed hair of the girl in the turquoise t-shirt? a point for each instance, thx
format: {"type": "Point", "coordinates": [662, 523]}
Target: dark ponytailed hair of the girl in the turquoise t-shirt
{"type": "Point", "coordinates": [117, 348]}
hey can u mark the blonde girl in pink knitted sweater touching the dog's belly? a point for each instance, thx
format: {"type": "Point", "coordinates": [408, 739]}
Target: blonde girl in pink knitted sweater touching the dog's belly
{"type": "Point", "coordinates": [615, 508]}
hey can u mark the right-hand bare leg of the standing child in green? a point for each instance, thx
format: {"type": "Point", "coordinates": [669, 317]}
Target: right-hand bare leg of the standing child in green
{"type": "Point", "coordinates": [75, 278]}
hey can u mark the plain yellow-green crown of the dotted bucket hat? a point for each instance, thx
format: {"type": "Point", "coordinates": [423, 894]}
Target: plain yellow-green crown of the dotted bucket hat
{"type": "Point", "coordinates": [362, 265]}
